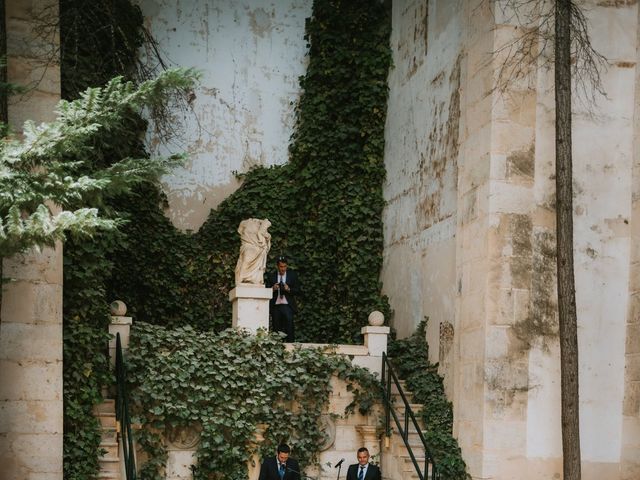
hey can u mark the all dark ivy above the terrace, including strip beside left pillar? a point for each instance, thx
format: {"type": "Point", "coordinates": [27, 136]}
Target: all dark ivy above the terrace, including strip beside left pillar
{"type": "Point", "coordinates": [325, 205]}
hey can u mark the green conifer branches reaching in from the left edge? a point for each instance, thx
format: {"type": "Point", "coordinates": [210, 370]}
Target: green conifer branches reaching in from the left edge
{"type": "Point", "coordinates": [47, 186]}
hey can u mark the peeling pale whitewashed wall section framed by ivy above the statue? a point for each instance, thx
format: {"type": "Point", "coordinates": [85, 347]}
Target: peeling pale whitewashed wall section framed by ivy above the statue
{"type": "Point", "coordinates": [251, 53]}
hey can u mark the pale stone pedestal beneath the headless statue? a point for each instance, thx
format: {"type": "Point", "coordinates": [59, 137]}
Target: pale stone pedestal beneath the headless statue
{"type": "Point", "coordinates": [250, 306]}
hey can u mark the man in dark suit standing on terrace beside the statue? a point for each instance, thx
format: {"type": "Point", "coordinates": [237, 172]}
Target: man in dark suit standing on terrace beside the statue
{"type": "Point", "coordinates": [282, 306]}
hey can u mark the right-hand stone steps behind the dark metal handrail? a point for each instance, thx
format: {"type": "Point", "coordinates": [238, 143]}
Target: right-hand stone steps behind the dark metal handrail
{"type": "Point", "coordinates": [397, 462]}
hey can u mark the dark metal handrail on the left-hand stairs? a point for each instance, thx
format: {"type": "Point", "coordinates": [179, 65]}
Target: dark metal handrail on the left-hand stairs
{"type": "Point", "coordinates": [122, 413]}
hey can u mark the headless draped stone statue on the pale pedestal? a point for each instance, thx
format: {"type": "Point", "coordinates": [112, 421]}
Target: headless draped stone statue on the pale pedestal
{"type": "Point", "coordinates": [256, 242]}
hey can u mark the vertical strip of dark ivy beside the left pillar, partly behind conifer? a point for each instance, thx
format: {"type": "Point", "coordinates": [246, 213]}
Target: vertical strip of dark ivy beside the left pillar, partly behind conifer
{"type": "Point", "coordinates": [99, 40]}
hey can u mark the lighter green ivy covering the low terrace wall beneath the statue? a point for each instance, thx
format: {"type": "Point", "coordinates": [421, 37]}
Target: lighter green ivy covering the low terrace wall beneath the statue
{"type": "Point", "coordinates": [231, 385]}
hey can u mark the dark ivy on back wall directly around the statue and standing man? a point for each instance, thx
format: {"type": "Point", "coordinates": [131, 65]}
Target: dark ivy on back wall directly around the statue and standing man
{"type": "Point", "coordinates": [325, 205]}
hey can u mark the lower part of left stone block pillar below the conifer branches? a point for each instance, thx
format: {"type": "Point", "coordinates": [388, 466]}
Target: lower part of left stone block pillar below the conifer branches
{"type": "Point", "coordinates": [31, 367]}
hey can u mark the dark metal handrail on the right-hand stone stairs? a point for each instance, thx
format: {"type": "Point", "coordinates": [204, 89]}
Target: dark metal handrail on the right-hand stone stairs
{"type": "Point", "coordinates": [388, 374]}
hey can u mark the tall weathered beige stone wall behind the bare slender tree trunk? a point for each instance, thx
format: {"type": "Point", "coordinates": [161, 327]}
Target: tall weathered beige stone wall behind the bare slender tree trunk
{"type": "Point", "coordinates": [488, 284]}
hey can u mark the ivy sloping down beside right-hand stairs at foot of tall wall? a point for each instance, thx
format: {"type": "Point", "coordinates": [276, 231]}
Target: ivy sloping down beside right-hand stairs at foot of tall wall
{"type": "Point", "coordinates": [410, 356]}
